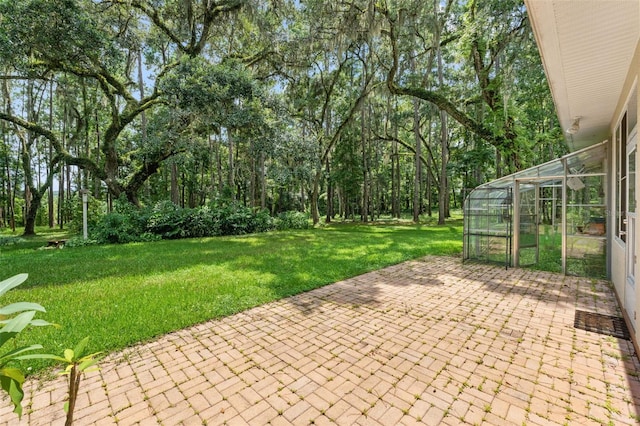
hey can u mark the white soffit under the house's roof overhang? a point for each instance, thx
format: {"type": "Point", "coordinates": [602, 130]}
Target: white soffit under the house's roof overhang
{"type": "Point", "coordinates": [586, 48]}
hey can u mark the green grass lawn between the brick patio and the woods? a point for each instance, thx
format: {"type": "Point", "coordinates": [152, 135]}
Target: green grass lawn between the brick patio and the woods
{"type": "Point", "coordinates": [120, 295]}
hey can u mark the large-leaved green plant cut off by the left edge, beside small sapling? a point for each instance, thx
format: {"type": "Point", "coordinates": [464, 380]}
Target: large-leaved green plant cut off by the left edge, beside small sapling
{"type": "Point", "coordinates": [14, 318]}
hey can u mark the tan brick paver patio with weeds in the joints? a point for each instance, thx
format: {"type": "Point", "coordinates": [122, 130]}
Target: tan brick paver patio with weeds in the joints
{"type": "Point", "coordinates": [431, 341]}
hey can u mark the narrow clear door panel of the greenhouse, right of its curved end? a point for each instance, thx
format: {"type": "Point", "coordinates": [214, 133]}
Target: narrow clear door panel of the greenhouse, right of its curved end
{"type": "Point", "coordinates": [526, 228]}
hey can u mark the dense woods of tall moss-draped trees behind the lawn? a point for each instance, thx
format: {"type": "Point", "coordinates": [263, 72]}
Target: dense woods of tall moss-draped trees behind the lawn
{"type": "Point", "coordinates": [344, 110]}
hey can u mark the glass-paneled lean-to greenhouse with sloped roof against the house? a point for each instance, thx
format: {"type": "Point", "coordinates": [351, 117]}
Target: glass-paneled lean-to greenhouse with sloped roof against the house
{"type": "Point", "coordinates": [552, 216]}
